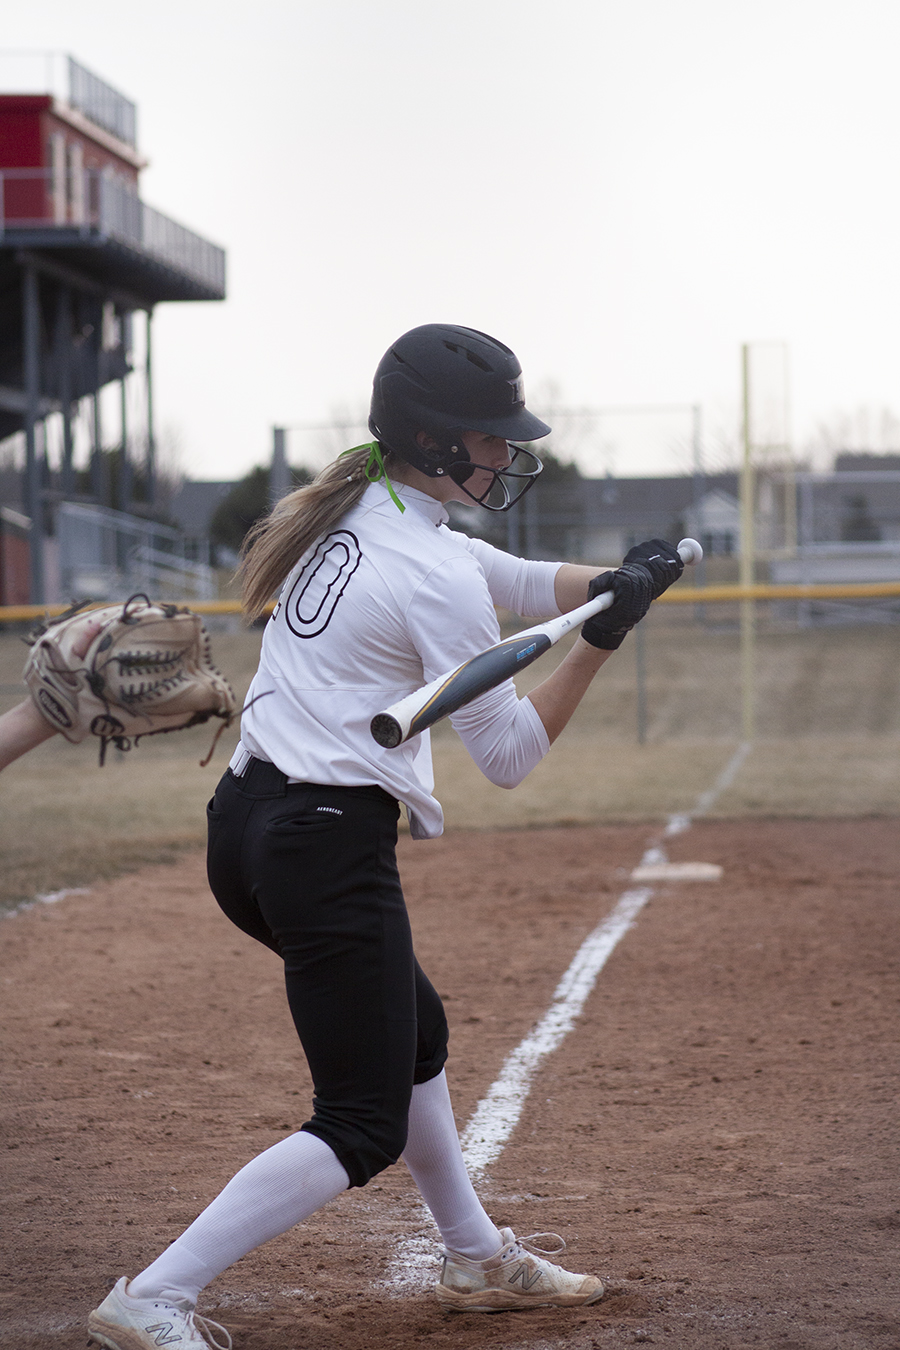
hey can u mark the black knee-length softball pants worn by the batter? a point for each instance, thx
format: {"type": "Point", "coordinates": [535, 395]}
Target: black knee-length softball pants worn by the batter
{"type": "Point", "coordinates": [312, 873]}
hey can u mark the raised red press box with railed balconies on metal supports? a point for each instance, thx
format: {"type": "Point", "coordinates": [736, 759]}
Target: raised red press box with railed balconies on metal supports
{"type": "Point", "coordinates": [80, 257]}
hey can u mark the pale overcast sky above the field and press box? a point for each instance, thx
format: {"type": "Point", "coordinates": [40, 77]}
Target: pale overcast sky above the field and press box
{"type": "Point", "coordinates": [623, 191]}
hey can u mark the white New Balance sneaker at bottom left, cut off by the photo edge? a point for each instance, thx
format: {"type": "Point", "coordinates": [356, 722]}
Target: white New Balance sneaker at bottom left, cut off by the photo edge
{"type": "Point", "coordinates": [126, 1324]}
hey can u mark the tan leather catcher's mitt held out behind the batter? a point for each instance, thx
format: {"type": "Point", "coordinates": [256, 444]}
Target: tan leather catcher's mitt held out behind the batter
{"type": "Point", "coordinates": [146, 669]}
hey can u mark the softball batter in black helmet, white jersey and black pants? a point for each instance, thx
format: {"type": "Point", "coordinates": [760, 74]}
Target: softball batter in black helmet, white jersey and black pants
{"type": "Point", "coordinates": [377, 597]}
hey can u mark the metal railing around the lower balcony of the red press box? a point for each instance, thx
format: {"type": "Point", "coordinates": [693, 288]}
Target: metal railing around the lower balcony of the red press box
{"type": "Point", "coordinates": [99, 203]}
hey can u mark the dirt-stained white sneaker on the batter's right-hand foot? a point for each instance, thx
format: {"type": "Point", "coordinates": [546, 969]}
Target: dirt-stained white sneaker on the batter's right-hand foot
{"type": "Point", "coordinates": [520, 1276]}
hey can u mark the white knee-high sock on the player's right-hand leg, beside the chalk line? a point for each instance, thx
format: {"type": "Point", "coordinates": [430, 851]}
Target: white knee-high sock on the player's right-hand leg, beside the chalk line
{"type": "Point", "coordinates": [435, 1159]}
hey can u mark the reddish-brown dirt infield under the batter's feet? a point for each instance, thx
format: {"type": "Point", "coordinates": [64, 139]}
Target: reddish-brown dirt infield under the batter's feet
{"type": "Point", "coordinates": [717, 1137]}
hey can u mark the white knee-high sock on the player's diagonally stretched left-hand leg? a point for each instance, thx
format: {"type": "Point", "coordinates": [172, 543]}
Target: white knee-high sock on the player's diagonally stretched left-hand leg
{"type": "Point", "coordinates": [277, 1190]}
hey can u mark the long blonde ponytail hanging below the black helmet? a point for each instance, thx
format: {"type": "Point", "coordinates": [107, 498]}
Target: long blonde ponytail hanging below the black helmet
{"type": "Point", "coordinates": [276, 542]}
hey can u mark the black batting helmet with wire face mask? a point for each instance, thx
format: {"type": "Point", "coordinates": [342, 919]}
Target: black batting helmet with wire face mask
{"type": "Point", "coordinates": [441, 381]}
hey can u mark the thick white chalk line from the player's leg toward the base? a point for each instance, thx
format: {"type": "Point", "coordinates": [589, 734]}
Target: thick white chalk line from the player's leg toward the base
{"type": "Point", "coordinates": [499, 1113]}
